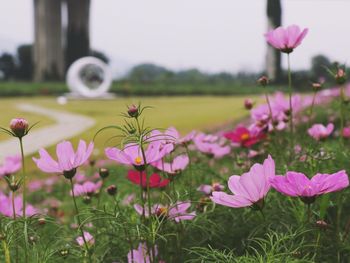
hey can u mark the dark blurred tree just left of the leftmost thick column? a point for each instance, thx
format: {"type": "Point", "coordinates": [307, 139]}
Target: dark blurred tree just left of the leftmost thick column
{"type": "Point", "coordinates": [25, 62]}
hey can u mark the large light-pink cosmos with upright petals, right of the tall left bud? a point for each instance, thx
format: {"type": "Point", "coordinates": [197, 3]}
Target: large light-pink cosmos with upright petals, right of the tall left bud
{"type": "Point", "coordinates": [68, 160]}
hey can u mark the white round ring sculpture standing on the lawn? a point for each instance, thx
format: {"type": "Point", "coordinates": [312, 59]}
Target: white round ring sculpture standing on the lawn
{"type": "Point", "coordinates": [89, 77]}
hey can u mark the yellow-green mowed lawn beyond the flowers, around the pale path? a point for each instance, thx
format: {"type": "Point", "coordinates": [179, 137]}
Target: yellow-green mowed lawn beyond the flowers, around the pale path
{"type": "Point", "coordinates": [185, 113]}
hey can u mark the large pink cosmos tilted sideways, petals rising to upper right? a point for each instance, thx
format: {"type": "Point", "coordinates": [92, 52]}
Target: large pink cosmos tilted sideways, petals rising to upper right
{"type": "Point", "coordinates": [250, 188]}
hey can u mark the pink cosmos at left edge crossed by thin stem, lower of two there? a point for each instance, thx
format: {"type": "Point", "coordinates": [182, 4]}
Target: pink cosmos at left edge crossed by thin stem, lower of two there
{"type": "Point", "coordinates": [6, 208]}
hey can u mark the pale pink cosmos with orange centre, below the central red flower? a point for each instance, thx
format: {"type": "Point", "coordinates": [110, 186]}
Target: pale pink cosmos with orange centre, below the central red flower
{"type": "Point", "coordinates": [177, 212]}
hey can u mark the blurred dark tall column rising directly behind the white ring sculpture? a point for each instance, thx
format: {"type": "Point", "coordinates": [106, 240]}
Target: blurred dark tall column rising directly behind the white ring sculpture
{"type": "Point", "coordinates": [78, 35]}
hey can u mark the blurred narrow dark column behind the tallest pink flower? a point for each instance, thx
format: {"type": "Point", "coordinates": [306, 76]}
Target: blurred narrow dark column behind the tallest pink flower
{"type": "Point", "coordinates": [273, 56]}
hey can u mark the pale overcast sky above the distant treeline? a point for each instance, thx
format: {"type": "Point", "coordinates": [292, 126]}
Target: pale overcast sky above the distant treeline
{"type": "Point", "coordinates": [213, 35]}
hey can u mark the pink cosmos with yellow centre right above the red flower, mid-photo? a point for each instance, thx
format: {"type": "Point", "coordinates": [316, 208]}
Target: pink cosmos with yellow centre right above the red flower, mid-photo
{"type": "Point", "coordinates": [132, 155]}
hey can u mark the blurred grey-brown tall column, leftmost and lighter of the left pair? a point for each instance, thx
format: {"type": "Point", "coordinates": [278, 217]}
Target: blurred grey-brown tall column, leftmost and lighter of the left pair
{"type": "Point", "coordinates": [48, 51]}
